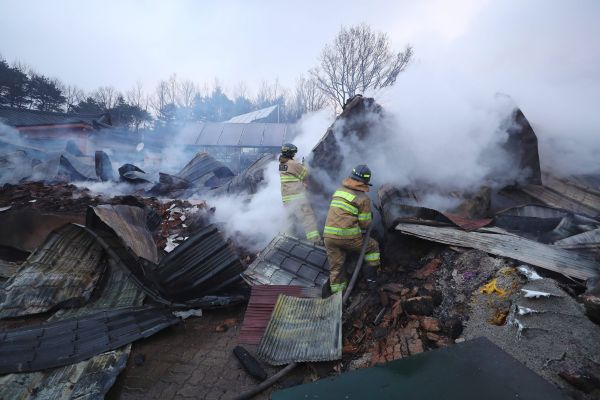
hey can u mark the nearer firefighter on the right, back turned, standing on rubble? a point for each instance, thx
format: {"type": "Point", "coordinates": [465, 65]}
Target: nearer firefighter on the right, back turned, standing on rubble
{"type": "Point", "coordinates": [349, 215]}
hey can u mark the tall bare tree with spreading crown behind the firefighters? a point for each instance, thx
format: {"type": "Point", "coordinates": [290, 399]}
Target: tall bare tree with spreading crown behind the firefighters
{"type": "Point", "coordinates": [358, 59]}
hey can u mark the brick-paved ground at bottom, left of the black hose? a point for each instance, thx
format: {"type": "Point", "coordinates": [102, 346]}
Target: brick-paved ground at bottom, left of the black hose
{"type": "Point", "coordinates": [190, 360]}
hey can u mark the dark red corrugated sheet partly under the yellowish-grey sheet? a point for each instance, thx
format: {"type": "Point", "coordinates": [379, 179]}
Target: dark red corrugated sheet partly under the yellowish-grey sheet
{"type": "Point", "coordinates": [260, 306]}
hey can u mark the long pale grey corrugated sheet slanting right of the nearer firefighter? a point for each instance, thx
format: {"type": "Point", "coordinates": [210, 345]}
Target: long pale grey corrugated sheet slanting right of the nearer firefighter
{"type": "Point", "coordinates": [495, 241]}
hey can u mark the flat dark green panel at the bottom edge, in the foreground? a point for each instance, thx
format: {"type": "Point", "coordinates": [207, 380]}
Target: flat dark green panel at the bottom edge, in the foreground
{"type": "Point", "coordinates": [476, 369]}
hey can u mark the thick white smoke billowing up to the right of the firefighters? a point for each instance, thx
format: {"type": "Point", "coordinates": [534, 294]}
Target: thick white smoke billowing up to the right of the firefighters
{"type": "Point", "coordinates": [447, 113]}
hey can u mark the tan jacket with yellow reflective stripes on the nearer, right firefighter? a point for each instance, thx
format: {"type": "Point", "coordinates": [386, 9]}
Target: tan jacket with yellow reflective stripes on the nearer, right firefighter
{"type": "Point", "coordinates": [349, 212]}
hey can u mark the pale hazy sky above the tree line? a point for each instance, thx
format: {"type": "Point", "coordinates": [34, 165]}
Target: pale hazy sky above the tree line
{"type": "Point", "coordinates": [94, 43]}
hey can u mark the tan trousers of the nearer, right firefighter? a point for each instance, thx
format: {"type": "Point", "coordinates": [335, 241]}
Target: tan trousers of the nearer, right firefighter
{"type": "Point", "coordinates": [338, 249]}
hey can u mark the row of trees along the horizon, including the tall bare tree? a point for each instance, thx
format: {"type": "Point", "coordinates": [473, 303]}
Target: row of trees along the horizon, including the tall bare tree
{"type": "Point", "coordinates": [358, 59]}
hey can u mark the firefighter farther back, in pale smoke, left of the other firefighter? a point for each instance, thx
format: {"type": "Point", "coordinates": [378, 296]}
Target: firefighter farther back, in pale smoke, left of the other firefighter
{"type": "Point", "coordinates": [294, 178]}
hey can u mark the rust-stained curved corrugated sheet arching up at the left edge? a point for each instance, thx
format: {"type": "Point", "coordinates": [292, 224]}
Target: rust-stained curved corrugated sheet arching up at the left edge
{"type": "Point", "coordinates": [64, 271]}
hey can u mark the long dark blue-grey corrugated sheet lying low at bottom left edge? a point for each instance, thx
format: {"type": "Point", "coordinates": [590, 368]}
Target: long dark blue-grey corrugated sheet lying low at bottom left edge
{"type": "Point", "coordinates": [72, 340]}
